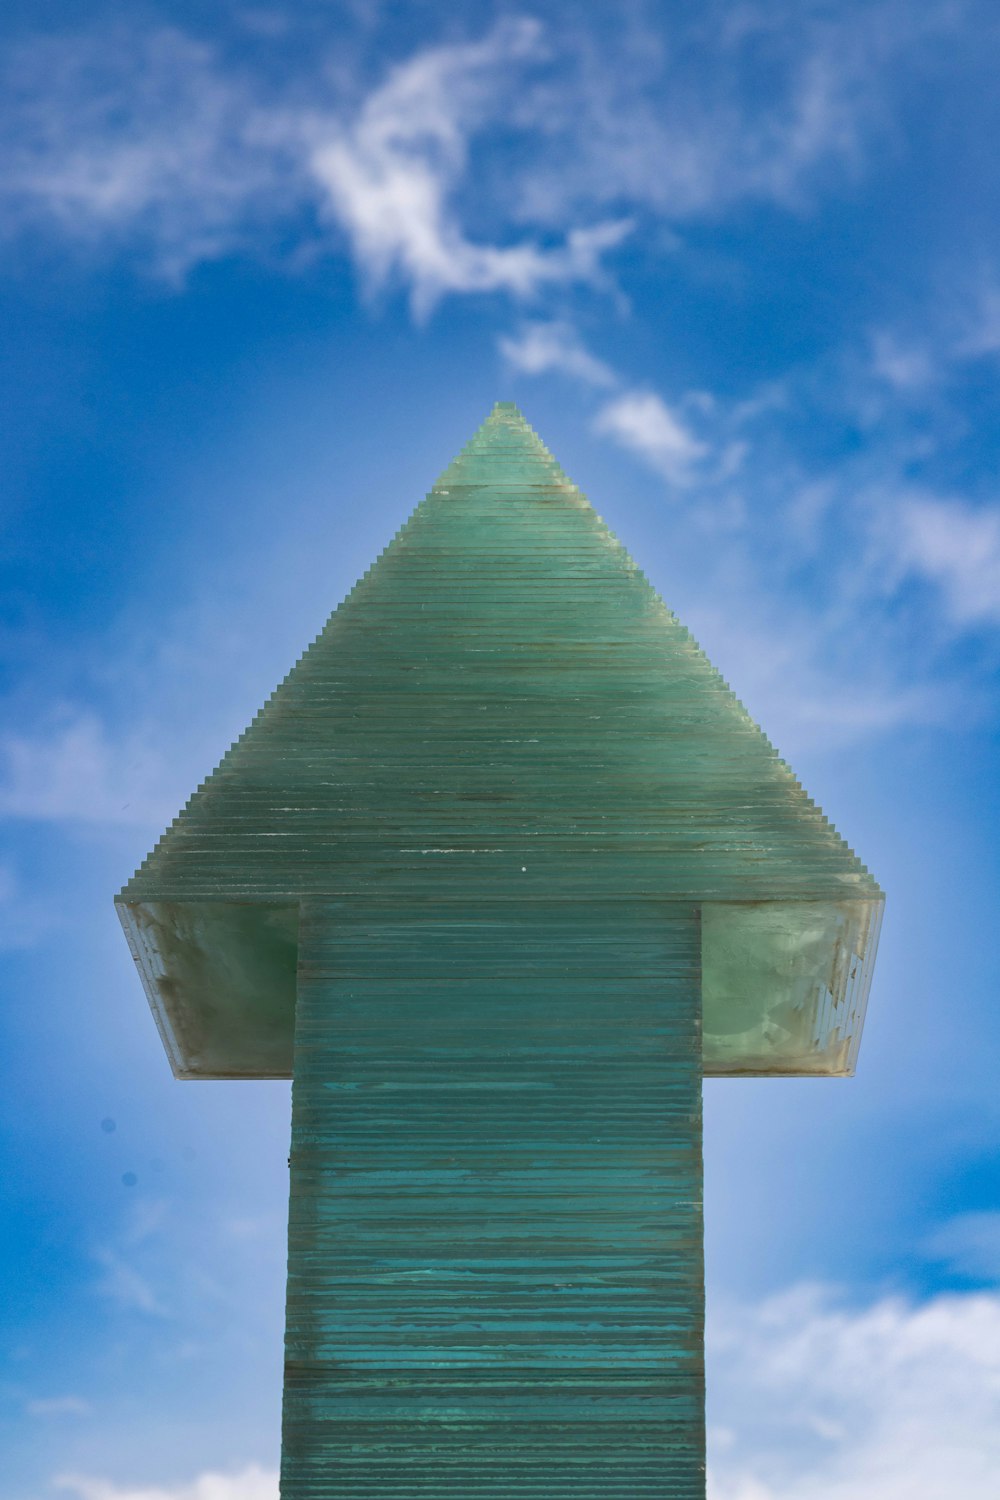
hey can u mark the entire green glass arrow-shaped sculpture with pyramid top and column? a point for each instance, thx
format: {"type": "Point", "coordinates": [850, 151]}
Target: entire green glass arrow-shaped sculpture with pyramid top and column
{"type": "Point", "coordinates": [497, 875]}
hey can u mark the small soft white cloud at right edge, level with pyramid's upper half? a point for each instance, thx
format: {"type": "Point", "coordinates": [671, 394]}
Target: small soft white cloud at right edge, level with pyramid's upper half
{"type": "Point", "coordinates": [954, 547]}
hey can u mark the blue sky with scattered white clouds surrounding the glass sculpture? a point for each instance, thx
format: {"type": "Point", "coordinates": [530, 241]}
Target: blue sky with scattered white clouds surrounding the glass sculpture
{"type": "Point", "coordinates": [263, 271]}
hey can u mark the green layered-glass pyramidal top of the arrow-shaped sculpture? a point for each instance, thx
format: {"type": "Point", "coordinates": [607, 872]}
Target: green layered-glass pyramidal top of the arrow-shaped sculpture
{"type": "Point", "coordinates": [503, 709]}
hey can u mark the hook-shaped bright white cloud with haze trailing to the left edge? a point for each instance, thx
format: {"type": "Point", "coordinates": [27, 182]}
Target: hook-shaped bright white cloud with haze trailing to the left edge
{"type": "Point", "coordinates": [148, 140]}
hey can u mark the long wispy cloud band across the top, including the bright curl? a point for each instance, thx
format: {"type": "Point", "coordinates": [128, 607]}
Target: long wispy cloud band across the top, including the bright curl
{"type": "Point", "coordinates": [151, 142]}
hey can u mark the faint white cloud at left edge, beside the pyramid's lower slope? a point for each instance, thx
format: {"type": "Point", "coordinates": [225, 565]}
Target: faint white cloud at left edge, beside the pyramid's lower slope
{"type": "Point", "coordinates": [74, 772]}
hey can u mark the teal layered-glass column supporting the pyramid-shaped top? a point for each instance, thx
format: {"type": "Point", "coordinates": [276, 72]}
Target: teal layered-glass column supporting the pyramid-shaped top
{"type": "Point", "coordinates": [496, 1273]}
